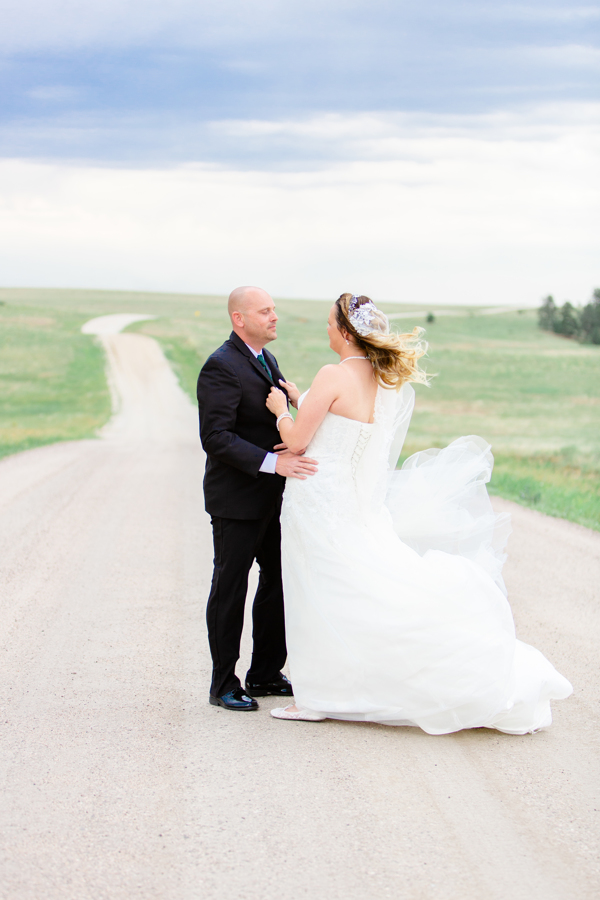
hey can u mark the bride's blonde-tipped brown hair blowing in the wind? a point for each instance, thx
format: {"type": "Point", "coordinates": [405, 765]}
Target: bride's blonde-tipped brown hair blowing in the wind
{"type": "Point", "coordinates": [394, 357]}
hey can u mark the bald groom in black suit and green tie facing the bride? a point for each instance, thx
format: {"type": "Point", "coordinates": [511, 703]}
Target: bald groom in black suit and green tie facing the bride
{"type": "Point", "coordinates": [243, 486]}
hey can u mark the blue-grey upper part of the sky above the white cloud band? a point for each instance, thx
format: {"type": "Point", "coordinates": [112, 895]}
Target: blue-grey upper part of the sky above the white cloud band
{"type": "Point", "coordinates": [137, 82]}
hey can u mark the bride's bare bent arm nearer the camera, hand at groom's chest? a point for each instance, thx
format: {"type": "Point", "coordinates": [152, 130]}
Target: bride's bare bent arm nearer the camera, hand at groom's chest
{"type": "Point", "coordinates": [324, 390]}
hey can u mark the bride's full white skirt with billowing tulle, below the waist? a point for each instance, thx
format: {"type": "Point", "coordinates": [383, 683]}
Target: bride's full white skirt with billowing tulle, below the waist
{"type": "Point", "coordinates": [399, 616]}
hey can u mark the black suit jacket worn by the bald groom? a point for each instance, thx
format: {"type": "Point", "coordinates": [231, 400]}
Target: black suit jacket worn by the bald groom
{"type": "Point", "coordinates": [236, 430]}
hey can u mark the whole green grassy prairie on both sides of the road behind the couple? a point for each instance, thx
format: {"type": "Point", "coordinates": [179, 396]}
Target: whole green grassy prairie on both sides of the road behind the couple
{"type": "Point", "coordinates": [535, 396]}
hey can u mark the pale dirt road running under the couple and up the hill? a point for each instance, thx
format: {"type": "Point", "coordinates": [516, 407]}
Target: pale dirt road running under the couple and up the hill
{"type": "Point", "coordinates": [120, 782]}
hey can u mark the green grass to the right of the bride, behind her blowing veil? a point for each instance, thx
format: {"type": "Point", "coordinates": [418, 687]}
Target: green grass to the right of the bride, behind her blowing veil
{"type": "Point", "coordinates": [533, 395]}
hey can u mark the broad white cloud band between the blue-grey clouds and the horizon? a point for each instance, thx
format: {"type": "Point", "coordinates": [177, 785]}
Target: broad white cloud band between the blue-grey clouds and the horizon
{"type": "Point", "coordinates": [492, 209]}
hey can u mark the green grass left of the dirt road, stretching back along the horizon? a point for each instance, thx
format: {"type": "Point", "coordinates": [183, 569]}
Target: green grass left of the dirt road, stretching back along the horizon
{"type": "Point", "coordinates": [52, 378]}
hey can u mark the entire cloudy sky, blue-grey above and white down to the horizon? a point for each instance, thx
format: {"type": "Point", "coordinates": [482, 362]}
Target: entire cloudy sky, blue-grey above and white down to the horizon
{"type": "Point", "coordinates": [423, 152]}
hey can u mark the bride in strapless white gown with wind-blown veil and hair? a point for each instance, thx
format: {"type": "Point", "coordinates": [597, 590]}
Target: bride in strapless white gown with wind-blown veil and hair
{"type": "Point", "coordinates": [394, 601]}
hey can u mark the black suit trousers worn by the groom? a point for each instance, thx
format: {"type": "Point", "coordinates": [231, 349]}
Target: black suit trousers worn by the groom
{"type": "Point", "coordinates": [237, 543]}
